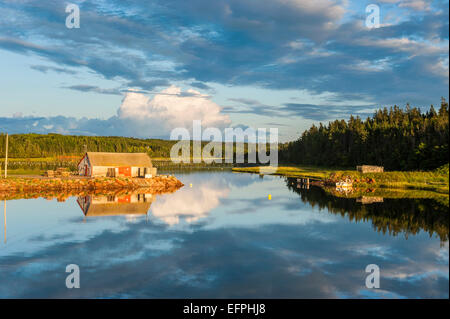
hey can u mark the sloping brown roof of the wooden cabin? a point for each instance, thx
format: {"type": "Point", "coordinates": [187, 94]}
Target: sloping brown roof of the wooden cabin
{"type": "Point", "coordinates": [119, 159]}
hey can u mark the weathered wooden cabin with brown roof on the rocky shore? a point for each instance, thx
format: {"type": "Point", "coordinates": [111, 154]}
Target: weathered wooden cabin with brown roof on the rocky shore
{"type": "Point", "coordinates": [95, 164]}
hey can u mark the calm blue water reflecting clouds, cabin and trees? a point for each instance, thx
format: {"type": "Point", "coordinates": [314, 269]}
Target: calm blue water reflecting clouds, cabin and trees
{"type": "Point", "coordinates": [223, 238]}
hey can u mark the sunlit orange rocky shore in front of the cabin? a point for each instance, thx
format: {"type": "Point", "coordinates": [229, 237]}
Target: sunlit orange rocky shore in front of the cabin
{"type": "Point", "coordinates": [11, 187]}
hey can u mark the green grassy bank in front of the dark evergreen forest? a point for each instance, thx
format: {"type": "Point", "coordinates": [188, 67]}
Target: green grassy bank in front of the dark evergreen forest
{"type": "Point", "coordinates": [436, 181]}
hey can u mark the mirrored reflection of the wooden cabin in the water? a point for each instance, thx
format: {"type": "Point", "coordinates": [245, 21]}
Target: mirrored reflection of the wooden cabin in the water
{"type": "Point", "coordinates": [133, 204]}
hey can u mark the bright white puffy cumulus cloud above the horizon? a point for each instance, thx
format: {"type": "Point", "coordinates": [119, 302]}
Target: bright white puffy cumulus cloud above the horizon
{"type": "Point", "coordinates": [172, 108]}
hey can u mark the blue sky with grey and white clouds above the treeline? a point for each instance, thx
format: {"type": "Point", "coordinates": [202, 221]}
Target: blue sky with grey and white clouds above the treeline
{"type": "Point", "coordinates": [144, 68]}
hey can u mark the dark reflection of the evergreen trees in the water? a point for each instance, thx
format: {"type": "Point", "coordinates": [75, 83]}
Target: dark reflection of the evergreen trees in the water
{"type": "Point", "coordinates": [387, 215]}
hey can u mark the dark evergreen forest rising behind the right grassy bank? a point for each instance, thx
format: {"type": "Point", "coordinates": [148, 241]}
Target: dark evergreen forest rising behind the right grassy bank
{"type": "Point", "coordinates": [394, 138]}
